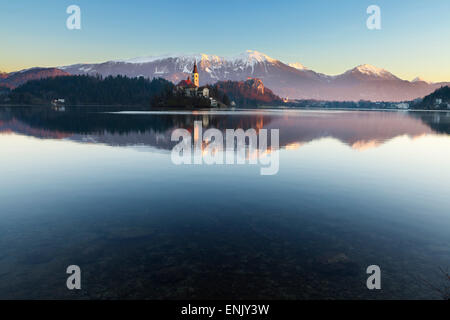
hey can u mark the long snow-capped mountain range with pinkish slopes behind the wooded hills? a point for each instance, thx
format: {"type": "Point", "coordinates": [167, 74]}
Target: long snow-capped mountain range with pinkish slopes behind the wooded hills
{"type": "Point", "coordinates": [364, 82]}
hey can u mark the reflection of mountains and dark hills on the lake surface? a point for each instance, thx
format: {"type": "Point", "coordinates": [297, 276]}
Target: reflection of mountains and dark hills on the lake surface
{"type": "Point", "coordinates": [116, 127]}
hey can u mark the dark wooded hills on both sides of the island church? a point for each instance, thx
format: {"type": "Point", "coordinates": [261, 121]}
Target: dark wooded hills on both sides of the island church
{"type": "Point", "coordinates": [83, 90]}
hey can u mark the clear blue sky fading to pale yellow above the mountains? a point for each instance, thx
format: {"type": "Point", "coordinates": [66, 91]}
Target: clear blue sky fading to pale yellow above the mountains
{"type": "Point", "coordinates": [326, 36]}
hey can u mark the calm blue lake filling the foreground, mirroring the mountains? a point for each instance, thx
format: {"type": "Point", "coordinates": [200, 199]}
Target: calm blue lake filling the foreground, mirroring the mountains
{"type": "Point", "coordinates": [98, 189]}
